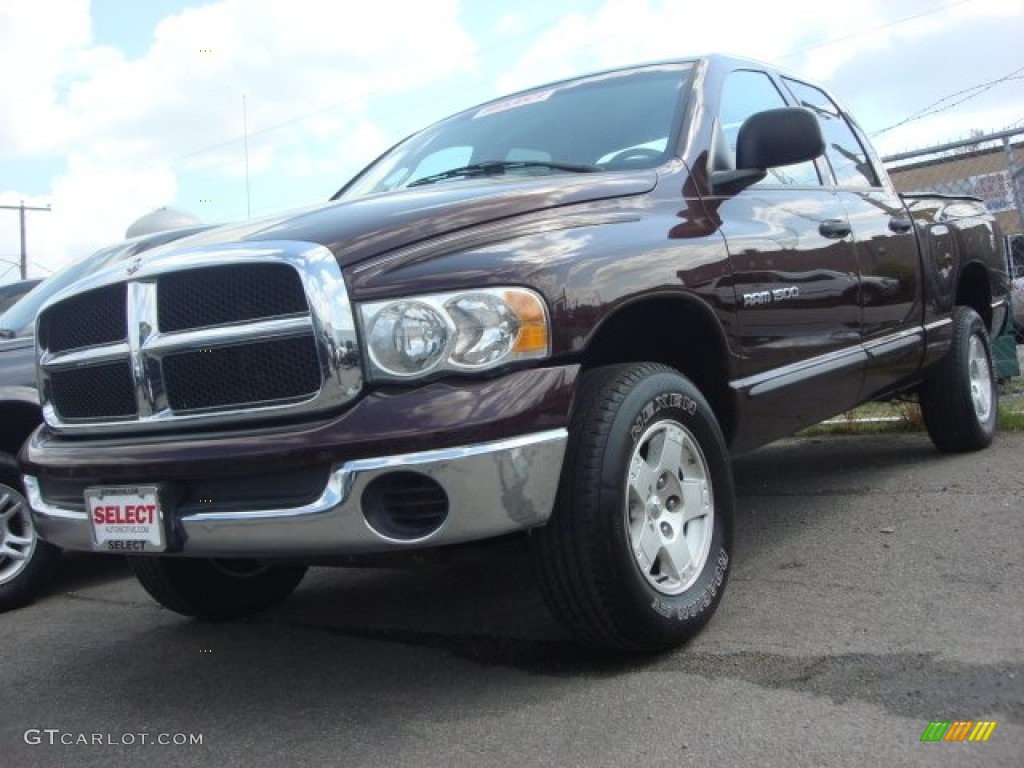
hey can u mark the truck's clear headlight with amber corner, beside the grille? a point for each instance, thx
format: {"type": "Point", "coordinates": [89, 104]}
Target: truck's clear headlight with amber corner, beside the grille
{"type": "Point", "coordinates": [464, 331]}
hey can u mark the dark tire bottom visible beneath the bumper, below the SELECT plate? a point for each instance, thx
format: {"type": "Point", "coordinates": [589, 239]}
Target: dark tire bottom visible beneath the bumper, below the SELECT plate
{"type": "Point", "coordinates": [216, 590]}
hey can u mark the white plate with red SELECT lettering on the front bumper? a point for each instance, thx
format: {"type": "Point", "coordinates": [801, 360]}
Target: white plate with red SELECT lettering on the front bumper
{"type": "Point", "coordinates": [126, 520]}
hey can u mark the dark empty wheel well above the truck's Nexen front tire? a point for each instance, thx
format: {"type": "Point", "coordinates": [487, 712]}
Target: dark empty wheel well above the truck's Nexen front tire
{"type": "Point", "coordinates": [676, 333]}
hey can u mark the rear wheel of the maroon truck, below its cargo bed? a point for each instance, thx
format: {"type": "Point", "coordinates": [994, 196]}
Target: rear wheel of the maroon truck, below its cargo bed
{"type": "Point", "coordinates": [960, 402]}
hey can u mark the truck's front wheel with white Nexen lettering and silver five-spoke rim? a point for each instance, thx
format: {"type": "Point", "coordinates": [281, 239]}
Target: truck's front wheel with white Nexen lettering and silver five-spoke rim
{"type": "Point", "coordinates": [637, 552]}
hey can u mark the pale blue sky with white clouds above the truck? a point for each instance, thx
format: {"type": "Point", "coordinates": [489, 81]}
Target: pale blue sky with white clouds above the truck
{"type": "Point", "coordinates": [120, 107]}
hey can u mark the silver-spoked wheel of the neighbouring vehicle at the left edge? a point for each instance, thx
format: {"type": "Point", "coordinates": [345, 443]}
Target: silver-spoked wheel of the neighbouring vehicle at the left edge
{"type": "Point", "coordinates": [27, 563]}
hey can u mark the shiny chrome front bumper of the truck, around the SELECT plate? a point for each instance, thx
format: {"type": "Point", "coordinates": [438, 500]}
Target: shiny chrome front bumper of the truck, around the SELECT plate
{"type": "Point", "coordinates": [492, 488]}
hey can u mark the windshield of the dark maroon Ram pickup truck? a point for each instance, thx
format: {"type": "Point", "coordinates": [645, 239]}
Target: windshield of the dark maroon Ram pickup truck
{"type": "Point", "coordinates": [616, 121]}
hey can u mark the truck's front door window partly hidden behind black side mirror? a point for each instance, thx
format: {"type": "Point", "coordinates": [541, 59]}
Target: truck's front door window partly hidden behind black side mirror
{"type": "Point", "coordinates": [747, 93]}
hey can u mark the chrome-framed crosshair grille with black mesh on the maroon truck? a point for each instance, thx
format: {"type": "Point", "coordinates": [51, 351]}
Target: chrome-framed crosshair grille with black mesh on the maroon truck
{"type": "Point", "coordinates": [219, 335]}
